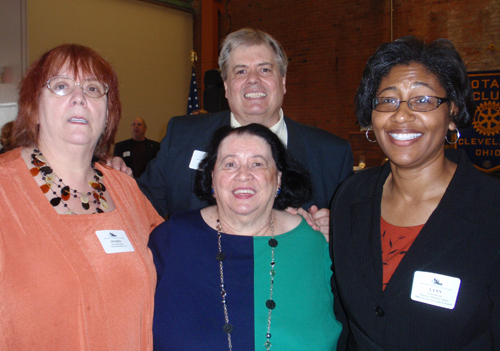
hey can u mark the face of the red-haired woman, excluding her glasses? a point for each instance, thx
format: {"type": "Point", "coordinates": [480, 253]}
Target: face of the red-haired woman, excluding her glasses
{"type": "Point", "coordinates": [71, 119]}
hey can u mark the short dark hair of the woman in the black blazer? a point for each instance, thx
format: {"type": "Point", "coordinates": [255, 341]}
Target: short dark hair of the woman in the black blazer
{"type": "Point", "coordinates": [440, 58]}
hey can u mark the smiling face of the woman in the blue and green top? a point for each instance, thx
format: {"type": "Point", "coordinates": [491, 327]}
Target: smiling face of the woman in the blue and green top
{"type": "Point", "coordinates": [245, 178]}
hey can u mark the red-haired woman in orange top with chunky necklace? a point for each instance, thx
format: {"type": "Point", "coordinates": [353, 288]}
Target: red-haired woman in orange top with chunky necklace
{"type": "Point", "coordinates": [75, 270]}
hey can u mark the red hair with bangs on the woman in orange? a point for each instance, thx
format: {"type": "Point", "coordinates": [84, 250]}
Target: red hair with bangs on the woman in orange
{"type": "Point", "coordinates": [80, 59]}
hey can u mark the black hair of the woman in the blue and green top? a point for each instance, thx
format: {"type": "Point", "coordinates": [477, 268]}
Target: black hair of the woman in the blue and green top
{"type": "Point", "coordinates": [296, 186]}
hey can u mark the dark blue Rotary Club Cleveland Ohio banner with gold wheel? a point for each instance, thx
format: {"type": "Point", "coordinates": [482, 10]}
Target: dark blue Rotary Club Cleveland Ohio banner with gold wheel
{"type": "Point", "coordinates": [481, 142]}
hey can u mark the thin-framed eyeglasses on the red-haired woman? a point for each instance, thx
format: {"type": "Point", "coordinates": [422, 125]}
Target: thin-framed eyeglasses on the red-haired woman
{"type": "Point", "coordinates": [62, 85]}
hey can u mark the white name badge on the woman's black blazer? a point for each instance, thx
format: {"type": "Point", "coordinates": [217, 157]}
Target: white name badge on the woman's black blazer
{"type": "Point", "coordinates": [435, 289]}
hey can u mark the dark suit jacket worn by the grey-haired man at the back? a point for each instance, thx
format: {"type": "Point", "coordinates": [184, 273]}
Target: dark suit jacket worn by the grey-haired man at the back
{"type": "Point", "coordinates": [168, 180]}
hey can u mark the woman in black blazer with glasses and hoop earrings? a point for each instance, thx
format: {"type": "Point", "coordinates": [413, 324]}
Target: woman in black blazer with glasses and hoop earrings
{"type": "Point", "coordinates": [415, 243]}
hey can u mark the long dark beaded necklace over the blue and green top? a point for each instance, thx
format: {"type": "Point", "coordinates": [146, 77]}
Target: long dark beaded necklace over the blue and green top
{"type": "Point", "coordinates": [270, 304]}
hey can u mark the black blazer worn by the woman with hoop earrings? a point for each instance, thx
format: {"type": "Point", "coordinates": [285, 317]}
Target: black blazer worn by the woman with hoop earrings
{"type": "Point", "coordinates": [461, 239]}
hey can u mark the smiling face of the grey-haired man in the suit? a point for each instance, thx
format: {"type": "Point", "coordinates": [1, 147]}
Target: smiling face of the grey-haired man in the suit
{"type": "Point", "coordinates": [254, 86]}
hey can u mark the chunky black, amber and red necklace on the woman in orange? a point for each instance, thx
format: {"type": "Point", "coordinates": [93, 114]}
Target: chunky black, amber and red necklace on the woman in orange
{"type": "Point", "coordinates": [49, 177]}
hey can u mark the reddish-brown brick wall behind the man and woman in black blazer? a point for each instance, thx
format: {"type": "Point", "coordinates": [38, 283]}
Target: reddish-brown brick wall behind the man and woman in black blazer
{"type": "Point", "coordinates": [329, 41]}
